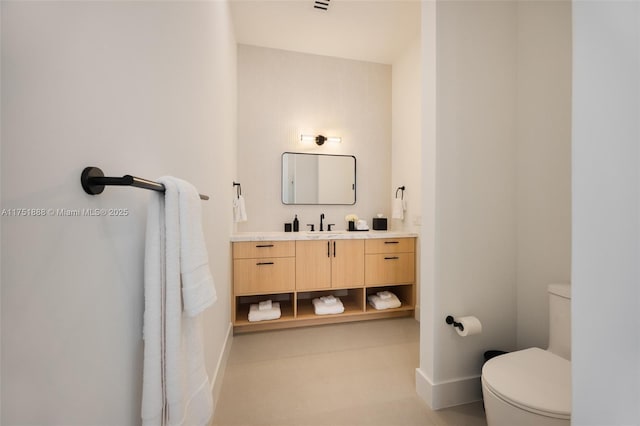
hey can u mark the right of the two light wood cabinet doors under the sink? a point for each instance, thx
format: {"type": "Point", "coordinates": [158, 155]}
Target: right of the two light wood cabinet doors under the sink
{"type": "Point", "coordinates": [347, 263]}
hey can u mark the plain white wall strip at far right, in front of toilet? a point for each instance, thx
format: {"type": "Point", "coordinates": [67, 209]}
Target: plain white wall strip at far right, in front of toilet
{"type": "Point", "coordinates": [606, 207]}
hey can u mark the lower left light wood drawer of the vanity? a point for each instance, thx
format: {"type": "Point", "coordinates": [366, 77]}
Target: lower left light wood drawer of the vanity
{"type": "Point", "coordinates": [265, 275]}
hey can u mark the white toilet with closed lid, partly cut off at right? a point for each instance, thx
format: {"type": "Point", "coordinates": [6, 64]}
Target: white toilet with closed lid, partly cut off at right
{"type": "Point", "coordinates": [532, 387]}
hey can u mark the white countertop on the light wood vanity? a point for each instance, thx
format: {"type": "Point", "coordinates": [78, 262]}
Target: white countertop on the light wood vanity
{"type": "Point", "coordinates": [318, 235]}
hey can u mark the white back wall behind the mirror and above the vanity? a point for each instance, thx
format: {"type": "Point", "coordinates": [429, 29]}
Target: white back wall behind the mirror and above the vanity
{"type": "Point", "coordinates": [282, 94]}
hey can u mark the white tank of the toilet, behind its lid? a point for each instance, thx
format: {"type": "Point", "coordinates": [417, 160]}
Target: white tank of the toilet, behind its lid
{"type": "Point", "coordinates": [560, 320]}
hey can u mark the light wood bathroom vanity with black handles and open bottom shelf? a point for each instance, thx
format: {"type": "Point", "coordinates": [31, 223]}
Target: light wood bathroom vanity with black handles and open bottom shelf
{"type": "Point", "coordinates": [294, 268]}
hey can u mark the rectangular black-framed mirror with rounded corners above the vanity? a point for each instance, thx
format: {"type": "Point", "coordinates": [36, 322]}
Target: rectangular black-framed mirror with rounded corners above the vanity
{"type": "Point", "coordinates": [318, 178]}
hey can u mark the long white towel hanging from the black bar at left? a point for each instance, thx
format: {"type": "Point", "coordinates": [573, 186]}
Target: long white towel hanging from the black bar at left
{"type": "Point", "coordinates": [178, 287]}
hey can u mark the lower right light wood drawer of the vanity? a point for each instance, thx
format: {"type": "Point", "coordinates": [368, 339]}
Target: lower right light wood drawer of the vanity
{"type": "Point", "coordinates": [394, 268]}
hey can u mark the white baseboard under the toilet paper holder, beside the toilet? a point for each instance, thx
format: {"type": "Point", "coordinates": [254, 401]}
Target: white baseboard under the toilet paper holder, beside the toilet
{"type": "Point", "coordinates": [448, 393]}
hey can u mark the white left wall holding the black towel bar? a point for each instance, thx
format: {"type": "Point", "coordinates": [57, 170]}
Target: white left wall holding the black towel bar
{"type": "Point", "coordinates": [146, 88]}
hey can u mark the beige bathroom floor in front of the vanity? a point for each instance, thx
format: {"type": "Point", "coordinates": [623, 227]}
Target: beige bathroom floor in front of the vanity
{"type": "Point", "coordinates": [340, 375]}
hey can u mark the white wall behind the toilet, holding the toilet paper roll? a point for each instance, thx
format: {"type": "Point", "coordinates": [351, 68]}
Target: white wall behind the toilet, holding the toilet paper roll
{"type": "Point", "coordinates": [498, 121]}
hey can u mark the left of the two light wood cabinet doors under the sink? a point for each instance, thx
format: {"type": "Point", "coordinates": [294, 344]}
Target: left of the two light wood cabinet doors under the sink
{"type": "Point", "coordinates": [313, 265]}
